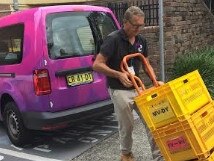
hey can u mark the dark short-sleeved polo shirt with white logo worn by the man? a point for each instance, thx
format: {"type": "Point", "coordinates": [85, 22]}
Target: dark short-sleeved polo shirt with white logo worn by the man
{"type": "Point", "coordinates": [115, 47]}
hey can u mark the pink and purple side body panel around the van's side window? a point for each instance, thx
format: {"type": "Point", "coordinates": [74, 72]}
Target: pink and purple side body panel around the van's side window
{"type": "Point", "coordinates": [20, 87]}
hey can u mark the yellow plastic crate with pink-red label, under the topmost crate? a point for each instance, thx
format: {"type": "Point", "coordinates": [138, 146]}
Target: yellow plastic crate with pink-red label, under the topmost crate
{"type": "Point", "coordinates": [192, 138]}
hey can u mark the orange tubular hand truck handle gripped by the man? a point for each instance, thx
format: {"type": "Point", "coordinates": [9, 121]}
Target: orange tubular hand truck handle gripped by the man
{"type": "Point", "coordinates": [138, 84]}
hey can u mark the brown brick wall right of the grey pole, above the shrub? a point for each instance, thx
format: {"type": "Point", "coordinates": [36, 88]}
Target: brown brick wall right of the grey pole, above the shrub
{"type": "Point", "coordinates": [188, 26]}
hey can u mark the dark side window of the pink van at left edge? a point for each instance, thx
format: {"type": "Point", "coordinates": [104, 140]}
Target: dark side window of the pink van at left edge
{"type": "Point", "coordinates": [11, 44]}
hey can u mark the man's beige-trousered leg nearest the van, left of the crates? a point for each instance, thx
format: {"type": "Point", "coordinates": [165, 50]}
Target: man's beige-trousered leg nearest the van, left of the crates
{"type": "Point", "coordinates": [123, 105]}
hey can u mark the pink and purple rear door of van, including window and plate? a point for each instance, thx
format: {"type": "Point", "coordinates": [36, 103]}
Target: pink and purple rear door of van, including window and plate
{"type": "Point", "coordinates": [72, 38]}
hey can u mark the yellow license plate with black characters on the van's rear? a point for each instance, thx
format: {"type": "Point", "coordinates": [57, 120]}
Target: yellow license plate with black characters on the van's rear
{"type": "Point", "coordinates": [79, 78]}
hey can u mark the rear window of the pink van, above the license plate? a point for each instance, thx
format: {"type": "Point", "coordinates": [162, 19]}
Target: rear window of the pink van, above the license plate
{"type": "Point", "coordinates": [72, 34]}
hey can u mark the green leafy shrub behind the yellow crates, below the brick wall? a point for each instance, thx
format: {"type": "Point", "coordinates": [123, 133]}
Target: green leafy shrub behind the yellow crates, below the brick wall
{"type": "Point", "coordinates": [202, 60]}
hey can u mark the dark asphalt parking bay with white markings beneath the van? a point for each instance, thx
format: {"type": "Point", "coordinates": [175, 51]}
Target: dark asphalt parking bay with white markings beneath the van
{"type": "Point", "coordinates": [60, 145]}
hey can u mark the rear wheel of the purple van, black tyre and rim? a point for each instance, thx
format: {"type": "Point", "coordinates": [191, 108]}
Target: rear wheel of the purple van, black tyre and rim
{"type": "Point", "coordinates": [16, 130]}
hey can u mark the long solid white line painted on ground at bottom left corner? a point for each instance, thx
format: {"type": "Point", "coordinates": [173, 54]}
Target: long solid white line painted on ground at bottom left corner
{"type": "Point", "coordinates": [25, 156]}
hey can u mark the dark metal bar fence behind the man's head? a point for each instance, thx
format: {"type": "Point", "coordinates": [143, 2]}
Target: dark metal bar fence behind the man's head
{"type": "Point", "coordinates": [150, 8]}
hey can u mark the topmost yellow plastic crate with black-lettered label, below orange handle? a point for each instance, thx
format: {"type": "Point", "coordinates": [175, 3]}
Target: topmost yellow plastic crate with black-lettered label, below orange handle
{"type": "Point", "coordinates": [172, 101]}
